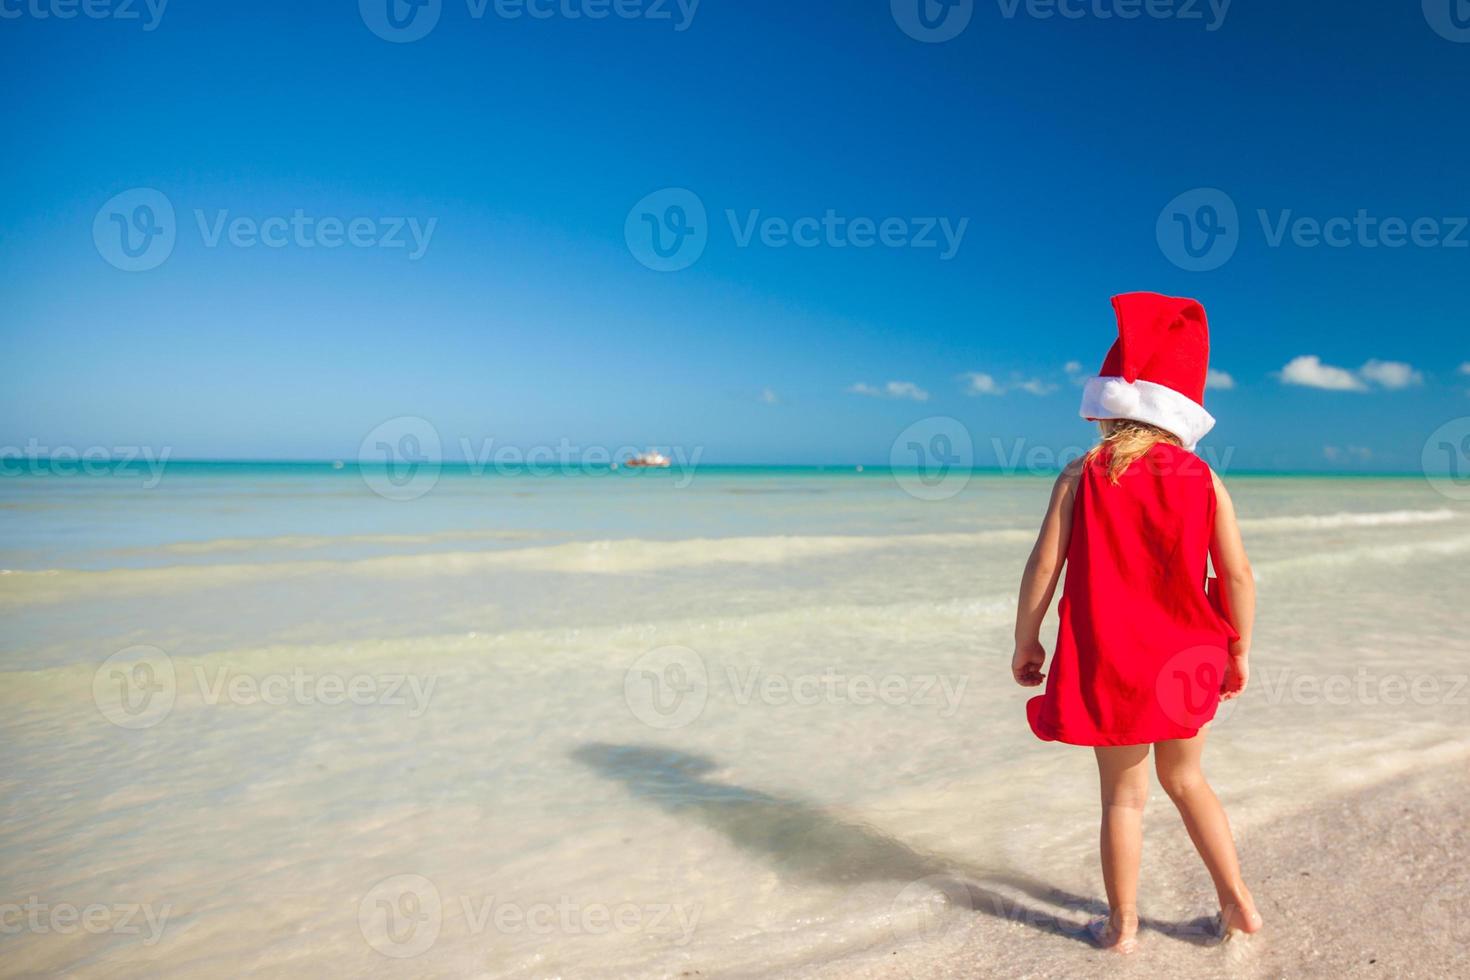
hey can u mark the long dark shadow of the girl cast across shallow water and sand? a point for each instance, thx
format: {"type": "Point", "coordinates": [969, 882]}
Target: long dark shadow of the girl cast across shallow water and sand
{"type": "Point", "coordinates": [805, 843]}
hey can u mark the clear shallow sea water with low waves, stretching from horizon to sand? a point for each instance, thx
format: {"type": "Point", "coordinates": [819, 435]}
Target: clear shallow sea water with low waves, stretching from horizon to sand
{"type": "Point", "coordinates": [617, 725]}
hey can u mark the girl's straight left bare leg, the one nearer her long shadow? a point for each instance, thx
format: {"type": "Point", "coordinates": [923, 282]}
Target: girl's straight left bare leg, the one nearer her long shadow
{"type": "Point", "coordinates": [1124, 779]}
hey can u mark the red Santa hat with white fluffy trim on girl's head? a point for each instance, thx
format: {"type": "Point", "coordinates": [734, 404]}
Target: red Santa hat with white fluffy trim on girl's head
{"type": "Point", "coordinates": [1156, 370]}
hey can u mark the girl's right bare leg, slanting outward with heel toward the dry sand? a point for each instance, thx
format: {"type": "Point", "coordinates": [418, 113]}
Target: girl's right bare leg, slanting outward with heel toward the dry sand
{"type": "Point", "coordinates": [1180, 774]}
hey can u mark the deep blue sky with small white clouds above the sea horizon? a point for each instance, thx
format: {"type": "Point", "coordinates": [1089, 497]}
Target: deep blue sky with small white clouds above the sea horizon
{"type": "Point", "coordinates": [520, 146]}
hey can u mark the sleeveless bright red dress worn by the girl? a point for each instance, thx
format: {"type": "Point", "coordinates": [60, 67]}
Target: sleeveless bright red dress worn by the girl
{"type": "Point", "coordinates": [1141, 649]}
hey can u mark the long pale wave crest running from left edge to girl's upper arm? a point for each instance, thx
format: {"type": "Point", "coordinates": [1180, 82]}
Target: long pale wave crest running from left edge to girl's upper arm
{"type": "Point", "coordinates": [584, 558]}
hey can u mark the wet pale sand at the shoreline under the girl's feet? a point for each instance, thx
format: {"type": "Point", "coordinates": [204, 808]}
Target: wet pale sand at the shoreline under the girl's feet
{"type": "Point", "coordinates": [1371, 884]}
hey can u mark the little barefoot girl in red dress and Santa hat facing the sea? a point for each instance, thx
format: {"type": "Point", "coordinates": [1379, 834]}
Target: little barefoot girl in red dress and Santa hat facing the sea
{"type": "Point", "coordinates": [1149, 644]}
